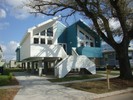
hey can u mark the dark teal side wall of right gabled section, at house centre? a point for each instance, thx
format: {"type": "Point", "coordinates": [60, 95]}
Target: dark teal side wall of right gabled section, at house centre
{"type": "Point", "coordinates": [71, 33]}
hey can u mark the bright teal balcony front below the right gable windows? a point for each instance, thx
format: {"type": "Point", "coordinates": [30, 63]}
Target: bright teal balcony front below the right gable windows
{"type": "Point", "coordinates": [93, 52]}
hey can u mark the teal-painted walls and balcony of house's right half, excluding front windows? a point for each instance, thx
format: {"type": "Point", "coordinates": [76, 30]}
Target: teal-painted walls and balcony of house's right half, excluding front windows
{"type": "Point", "coordinates": [69, 36]}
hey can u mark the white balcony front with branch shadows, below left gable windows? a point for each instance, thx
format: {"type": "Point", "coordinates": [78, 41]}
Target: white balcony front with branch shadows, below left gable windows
{"type": "Point", "coordinates": [38, 50]}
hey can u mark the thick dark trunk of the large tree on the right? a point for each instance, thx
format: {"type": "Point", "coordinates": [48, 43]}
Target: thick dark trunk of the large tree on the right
{"type": "Point", "coordinates": [124, 63]}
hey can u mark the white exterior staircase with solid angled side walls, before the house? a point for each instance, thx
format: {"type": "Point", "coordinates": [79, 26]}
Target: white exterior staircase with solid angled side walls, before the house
{"type": "Point", "coordinates": [74, 62]}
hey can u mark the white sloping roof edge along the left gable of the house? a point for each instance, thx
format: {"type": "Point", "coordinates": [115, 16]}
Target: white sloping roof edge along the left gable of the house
{"type": "Point", "coordinates": [37, 26]}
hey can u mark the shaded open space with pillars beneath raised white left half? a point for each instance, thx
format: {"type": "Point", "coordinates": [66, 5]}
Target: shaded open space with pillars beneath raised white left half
{"type": "Point", "coordinates": [40, 65]}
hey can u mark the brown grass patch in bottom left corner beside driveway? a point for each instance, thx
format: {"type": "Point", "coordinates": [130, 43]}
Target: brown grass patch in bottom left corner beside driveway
{"type": "Point", "coordinates": [8, 94]}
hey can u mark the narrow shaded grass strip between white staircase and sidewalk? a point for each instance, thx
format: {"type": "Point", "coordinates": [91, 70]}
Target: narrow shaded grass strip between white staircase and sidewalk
{"type": "Point", "coordinates": [72, 78]}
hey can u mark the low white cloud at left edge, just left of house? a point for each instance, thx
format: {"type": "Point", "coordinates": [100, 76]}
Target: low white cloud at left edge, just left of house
{"type": "Point", "coordinates": [9, 50]}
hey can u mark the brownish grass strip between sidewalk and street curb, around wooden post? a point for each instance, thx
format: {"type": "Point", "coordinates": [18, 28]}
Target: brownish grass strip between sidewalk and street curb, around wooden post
{"type": "Point", "coordinates": [101, 86]}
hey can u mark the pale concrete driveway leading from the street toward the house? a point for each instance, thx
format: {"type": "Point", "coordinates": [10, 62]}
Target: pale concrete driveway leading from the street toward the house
{"type": "Point", "coordinates": [38, 88]}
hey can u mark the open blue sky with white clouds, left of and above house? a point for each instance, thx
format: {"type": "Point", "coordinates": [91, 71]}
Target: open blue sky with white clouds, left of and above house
{"type": "Point", "coordinates": [14, 22]}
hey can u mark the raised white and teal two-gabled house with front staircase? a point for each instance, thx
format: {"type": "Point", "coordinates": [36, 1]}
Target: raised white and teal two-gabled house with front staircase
{"type": "Point", "coordinates": [51, 47]}
